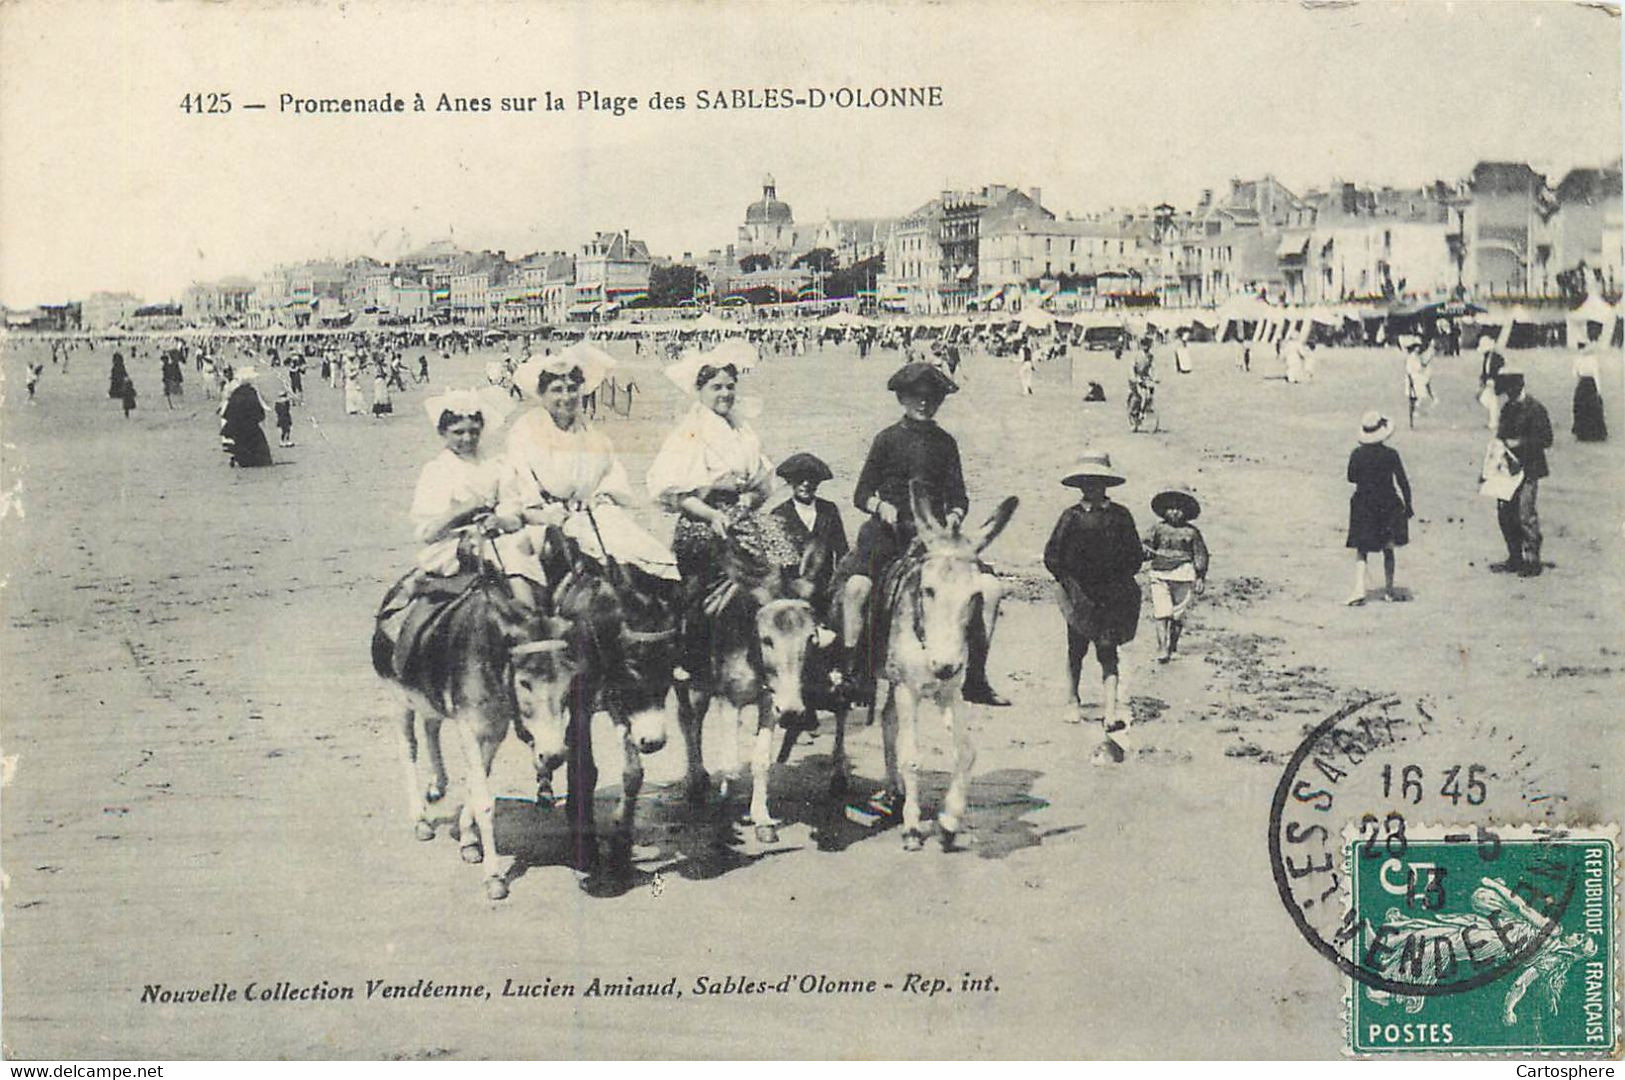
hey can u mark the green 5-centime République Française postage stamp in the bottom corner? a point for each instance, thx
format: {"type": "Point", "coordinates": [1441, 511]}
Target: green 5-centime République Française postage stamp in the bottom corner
{"type": "Point", "coordinates": [1481, 941]}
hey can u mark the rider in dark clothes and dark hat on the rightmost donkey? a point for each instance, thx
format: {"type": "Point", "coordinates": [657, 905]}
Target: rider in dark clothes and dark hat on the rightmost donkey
{"type": "Point", "coordinates": [914, 451]}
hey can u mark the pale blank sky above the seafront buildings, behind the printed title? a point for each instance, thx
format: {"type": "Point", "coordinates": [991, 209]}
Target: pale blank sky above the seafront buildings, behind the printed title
{"type": "Point", "coordinates": [108, 184]}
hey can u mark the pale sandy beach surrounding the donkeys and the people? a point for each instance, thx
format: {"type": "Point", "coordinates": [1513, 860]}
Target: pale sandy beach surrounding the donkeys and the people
{"type": "Point", "coordinates": [202, 782]}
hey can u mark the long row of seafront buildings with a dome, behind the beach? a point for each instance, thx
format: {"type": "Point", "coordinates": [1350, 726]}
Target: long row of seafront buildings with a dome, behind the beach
{"type": "Point", "coordinates": [1502, 233]}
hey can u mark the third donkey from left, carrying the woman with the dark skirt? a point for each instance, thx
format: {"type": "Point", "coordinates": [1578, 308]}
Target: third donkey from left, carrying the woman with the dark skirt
{"type": "Point", "coordinates": [756, 649]}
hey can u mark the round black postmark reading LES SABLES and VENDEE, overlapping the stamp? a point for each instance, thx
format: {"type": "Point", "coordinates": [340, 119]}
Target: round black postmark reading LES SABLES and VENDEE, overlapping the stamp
{"type": "Point", "coordinates": [1406, 909]}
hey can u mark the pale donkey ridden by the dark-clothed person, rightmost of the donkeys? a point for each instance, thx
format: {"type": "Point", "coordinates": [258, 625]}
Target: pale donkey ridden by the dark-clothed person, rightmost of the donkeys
{"type": "Point", "coordinates": [925, 662]}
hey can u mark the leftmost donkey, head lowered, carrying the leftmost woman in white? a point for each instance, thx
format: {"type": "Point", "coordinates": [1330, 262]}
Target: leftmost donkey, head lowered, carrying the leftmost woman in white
{"type": "Point", "coordinates": [485, 662]}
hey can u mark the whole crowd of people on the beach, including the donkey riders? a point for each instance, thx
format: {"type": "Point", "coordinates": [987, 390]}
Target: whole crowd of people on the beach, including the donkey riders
{"type": "Point", "coordinates": [714, 475]}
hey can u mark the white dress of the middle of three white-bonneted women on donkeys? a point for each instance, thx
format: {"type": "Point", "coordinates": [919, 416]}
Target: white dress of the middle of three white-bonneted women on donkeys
{"type": "Point", "coordinates": [578, 470]}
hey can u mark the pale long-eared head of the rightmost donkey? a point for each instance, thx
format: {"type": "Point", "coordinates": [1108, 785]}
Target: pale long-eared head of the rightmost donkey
{"type": "Point", "coordinates": [951, 582]}
